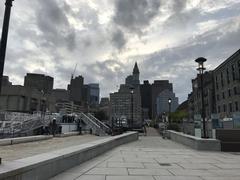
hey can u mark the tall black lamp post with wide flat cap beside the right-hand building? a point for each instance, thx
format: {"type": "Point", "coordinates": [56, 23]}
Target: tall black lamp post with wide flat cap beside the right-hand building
{"type": "Point", "coordinates": [201, 69]}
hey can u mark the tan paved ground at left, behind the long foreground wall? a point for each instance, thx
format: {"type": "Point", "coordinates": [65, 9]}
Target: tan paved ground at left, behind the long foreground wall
{"type": "Point", "coordinates": [18, 151]}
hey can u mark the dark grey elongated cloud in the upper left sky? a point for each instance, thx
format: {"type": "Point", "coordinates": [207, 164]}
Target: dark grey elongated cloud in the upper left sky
{"type": "Point", "coordinates": [52, 21]}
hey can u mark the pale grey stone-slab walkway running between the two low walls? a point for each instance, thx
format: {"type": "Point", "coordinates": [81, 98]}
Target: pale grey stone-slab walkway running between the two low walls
{"type": "Point", "coordinates": [154, 158]}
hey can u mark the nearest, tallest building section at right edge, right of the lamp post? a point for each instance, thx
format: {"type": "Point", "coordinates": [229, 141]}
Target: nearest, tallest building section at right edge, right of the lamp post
{"type": "Point", "coordinates": [227, 86]}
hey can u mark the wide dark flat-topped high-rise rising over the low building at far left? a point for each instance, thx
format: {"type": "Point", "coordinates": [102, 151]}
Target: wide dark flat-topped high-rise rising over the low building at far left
{"type": "Point", "coordinates": [40, 82]}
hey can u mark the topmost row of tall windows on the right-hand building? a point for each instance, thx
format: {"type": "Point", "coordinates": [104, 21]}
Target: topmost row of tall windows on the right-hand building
{"type": "Point", "coordinates": [228, 79]}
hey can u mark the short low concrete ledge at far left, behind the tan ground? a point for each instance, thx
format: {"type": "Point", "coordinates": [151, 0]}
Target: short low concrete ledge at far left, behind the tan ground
{"type": "Point", "coordinates": [10, 141]}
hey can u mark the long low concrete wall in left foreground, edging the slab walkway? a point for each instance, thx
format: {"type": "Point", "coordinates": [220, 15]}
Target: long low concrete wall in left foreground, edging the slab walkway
{"type": "Point", "coordinates": [47, 165]}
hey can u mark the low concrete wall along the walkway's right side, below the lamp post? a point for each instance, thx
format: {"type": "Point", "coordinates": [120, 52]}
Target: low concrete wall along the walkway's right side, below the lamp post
{"type": "Point", "coordinates": [195, 142]}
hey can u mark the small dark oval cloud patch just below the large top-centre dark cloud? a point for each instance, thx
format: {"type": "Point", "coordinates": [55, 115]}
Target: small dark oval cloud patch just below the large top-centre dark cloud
{"type": "Point", "coordinates": [118, 39]}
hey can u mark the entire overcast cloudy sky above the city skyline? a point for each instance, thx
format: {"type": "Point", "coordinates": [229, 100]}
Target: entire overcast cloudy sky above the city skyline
{"type": "Point", "coordinates": [105, 38]}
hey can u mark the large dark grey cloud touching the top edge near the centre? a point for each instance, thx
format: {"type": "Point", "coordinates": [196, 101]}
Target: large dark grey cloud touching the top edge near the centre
{"type": "Point", "coordinates": [135, 15]}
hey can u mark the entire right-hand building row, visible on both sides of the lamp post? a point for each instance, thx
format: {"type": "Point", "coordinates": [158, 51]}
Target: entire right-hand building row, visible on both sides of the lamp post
{"type": "Point", "coordinates": [221, 90]}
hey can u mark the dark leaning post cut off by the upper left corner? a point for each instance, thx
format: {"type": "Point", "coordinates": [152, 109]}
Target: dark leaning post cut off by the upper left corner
{"type": "Point", "coordinates": [3, 45]}
